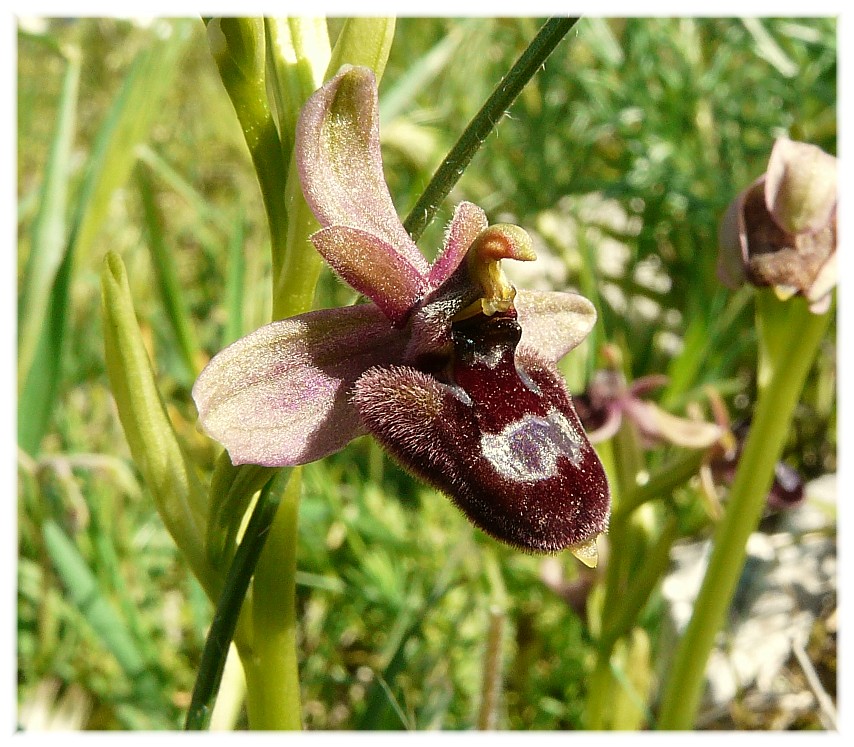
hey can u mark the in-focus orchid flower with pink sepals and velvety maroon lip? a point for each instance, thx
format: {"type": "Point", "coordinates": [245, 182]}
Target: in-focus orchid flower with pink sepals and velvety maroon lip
{"type": "Point", "coordinates": [449, 367]}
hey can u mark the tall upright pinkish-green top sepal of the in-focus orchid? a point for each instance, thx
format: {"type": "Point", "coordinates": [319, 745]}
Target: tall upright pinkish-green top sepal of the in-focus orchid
{"type": "Point", "coordinates": [340, 163]}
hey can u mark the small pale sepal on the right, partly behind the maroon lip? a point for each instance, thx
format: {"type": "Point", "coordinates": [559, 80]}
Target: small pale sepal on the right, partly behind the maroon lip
{"type": "Point", "coordinates": [553, 323]}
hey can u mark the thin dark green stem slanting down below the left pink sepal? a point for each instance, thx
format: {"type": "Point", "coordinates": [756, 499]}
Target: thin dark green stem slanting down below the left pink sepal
{"type": "Point", "coordinates": [230, 604]}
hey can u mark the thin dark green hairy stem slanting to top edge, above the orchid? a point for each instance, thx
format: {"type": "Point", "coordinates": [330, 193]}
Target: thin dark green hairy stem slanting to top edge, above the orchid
{"type": "Point", "coordinates": [484, 121]}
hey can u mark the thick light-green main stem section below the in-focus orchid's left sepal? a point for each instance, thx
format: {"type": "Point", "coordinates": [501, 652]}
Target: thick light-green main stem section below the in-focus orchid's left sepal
{"type": "Point", "coordinates": [271, 663]}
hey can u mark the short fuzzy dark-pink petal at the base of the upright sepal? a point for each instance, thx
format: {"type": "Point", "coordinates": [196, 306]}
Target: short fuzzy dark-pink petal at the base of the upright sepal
{"type": "Point", "coordinates": [372, 267]}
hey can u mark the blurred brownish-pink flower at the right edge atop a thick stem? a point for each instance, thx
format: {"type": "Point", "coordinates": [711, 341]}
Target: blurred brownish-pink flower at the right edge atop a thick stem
{"type": "Point", "coordinates": [781, 230]}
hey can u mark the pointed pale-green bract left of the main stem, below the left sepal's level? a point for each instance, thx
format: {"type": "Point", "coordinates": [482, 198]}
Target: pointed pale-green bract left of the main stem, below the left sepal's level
{"type": "Point", "coordinates": [170, 477]}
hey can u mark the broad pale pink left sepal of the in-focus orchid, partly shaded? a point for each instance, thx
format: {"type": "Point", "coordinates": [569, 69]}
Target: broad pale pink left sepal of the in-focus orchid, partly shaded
{"type": "Point", "coordinates": [280, 396]}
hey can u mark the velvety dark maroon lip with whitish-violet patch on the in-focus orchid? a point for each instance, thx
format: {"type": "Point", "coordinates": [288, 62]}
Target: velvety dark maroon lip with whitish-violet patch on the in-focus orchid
{"type": "Point", "coordinates": [502, 440]}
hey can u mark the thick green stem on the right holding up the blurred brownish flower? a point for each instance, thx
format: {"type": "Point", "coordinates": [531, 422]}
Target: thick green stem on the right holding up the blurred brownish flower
{"type": "Point", "coordinates": [786, 373]}
